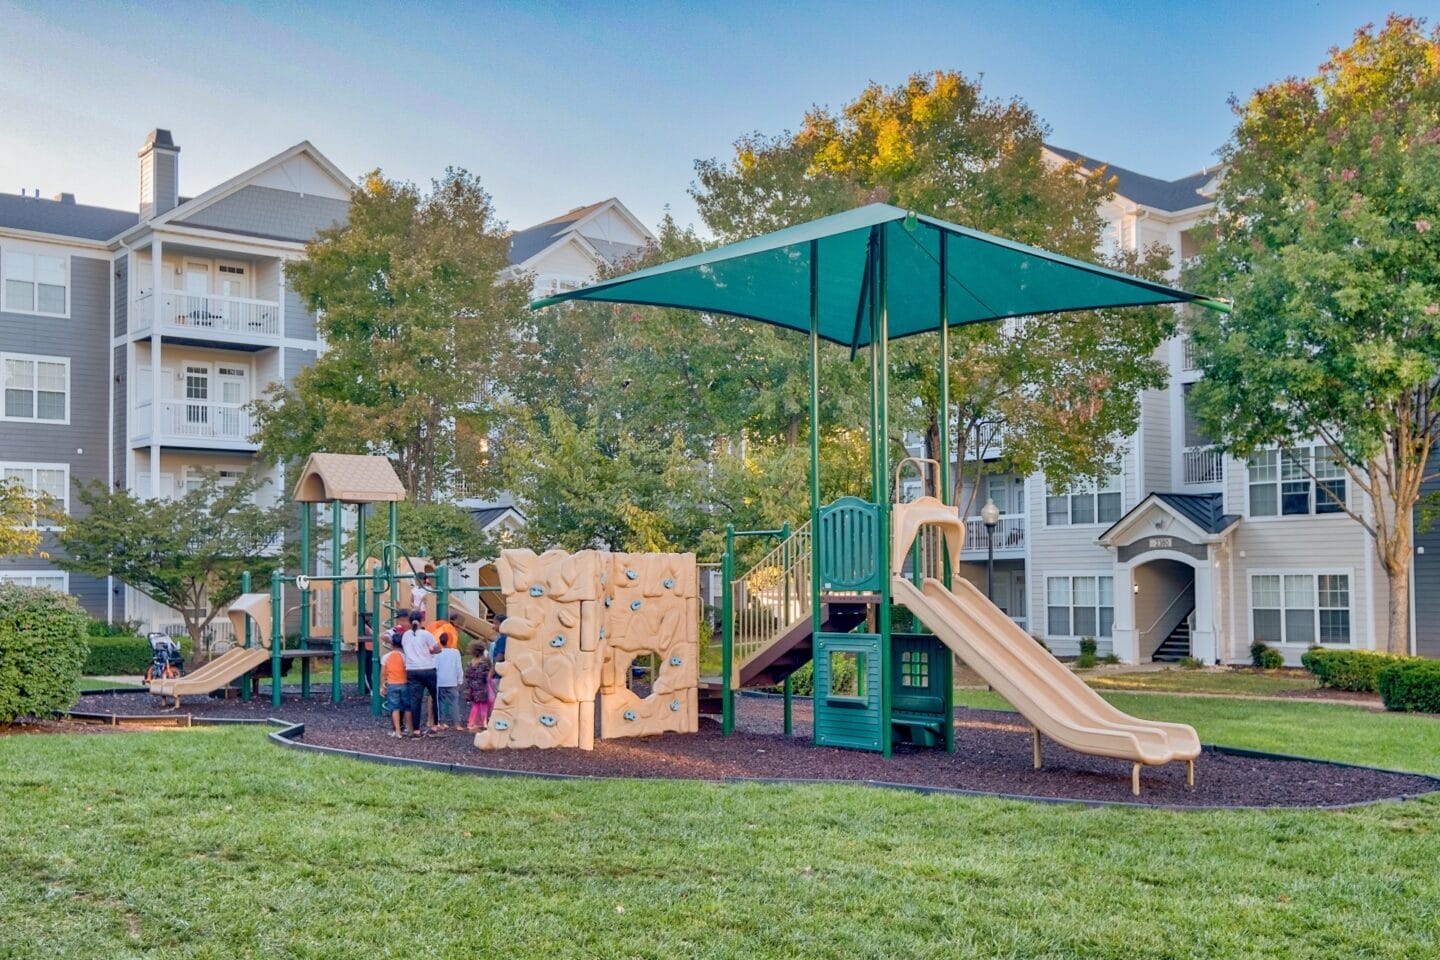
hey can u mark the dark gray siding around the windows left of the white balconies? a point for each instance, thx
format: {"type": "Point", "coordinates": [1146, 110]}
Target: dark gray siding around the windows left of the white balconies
{"type": "Point", "coordinates": [83, 444]}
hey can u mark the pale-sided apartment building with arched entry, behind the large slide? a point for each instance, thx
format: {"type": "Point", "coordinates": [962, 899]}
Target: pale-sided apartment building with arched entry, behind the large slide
{"type": "Point", "coordinates": [1184, 552]}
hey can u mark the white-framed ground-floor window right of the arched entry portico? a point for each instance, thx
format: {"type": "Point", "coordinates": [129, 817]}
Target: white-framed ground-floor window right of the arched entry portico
{"type": "Point", "coordinates": [1301, 608]}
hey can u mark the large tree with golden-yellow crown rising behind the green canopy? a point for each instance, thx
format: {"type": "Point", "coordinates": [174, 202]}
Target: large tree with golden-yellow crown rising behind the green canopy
{"type": "Point", "coordinates": [1062, 392]}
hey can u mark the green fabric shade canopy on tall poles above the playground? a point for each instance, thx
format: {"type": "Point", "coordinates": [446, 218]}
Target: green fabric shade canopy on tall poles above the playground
{"type": "Point", "coordinates": [768, 279]}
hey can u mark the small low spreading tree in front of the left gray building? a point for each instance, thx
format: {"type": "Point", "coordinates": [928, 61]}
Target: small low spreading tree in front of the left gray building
{"type": "Point", "coordinates": [186, 553]}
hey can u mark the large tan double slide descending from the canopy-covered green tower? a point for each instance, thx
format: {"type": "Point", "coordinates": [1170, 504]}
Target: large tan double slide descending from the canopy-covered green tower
{"type": "Point", "coordinates": [1058, 703]}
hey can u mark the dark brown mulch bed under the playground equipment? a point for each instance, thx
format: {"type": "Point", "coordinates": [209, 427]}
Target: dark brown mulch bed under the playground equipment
{"type": "Point", "coordinates": [993, 756]}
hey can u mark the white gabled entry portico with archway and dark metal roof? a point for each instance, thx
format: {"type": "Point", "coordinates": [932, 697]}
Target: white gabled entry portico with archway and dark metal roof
{"type": "Point", "coordinates": [1169, 559]}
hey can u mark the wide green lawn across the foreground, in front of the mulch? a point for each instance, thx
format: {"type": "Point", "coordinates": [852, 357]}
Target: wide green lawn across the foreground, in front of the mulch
{"type": "Point", "coordinates": [263, 853]}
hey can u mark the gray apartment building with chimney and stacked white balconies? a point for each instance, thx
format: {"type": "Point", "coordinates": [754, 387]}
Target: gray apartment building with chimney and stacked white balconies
{"type": "Point", "coordinates": [132, 342]}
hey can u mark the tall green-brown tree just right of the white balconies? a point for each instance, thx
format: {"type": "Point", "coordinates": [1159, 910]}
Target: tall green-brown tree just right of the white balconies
{"type": "Point", "coordinates": [414, 313]}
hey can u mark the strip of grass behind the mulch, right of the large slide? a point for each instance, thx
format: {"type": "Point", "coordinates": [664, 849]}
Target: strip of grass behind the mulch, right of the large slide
{"type": "Point", "coordinates": [1308, 729]}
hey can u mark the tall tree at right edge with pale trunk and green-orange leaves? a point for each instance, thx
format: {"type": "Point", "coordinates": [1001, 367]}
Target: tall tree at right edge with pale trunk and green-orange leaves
{"type": "Point", "coordinates": [1326, 241]}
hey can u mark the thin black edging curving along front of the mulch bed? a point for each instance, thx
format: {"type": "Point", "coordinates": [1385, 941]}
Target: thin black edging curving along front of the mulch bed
{"type": "Point", "coordinates": [292, 735]}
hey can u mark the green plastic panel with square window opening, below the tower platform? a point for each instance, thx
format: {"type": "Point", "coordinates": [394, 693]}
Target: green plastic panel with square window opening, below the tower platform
{"type": "Point", "coordinates": [847, 709]}
